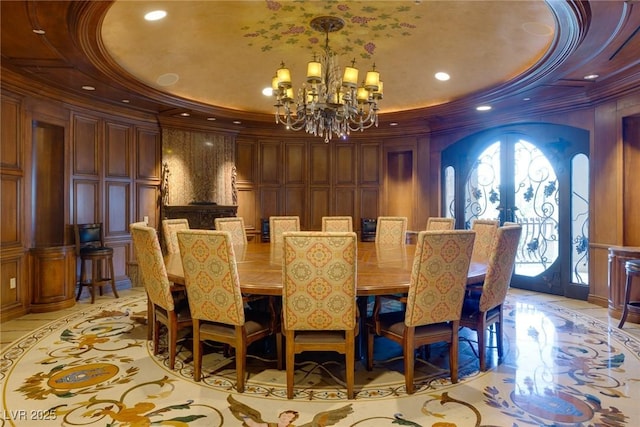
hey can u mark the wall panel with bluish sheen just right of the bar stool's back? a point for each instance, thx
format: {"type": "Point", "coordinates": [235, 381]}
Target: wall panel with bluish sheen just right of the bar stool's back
{"type": "Point", "coordinates": [118, 209]}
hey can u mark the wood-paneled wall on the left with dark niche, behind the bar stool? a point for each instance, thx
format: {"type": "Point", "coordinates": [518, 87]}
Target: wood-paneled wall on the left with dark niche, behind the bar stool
{"type": "Point", "coordinates": [62, 165]}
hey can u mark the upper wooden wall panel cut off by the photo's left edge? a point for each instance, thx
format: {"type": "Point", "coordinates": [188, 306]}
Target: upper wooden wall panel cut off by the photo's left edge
{"type": "Point", "coordinates": [11, 150]}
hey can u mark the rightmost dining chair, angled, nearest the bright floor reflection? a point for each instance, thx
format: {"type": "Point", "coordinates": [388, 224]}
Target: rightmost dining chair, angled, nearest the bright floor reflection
{"type": "Point", "coordinates": [482, 306]}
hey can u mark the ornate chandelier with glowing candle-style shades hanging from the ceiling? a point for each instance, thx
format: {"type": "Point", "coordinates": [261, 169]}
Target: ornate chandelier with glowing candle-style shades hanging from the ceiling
{"type": "Point", "coordinates": [329, 103]}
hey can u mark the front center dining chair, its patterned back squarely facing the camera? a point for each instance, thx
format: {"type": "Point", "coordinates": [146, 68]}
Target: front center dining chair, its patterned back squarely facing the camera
{"type": "Point", "coordinates": [319, 298]}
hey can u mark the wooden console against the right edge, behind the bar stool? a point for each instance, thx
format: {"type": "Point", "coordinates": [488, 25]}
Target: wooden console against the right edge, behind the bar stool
{"type": "Point", "coordinates": [618, 255]}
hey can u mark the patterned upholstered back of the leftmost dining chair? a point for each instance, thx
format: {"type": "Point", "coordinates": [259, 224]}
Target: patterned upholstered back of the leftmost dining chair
{"type": "Point", "coordinates": [151, 268]}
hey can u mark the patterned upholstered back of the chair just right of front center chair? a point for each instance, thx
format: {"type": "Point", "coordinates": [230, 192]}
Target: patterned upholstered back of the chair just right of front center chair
{"type": "Point", "coordinates": [439, 276]}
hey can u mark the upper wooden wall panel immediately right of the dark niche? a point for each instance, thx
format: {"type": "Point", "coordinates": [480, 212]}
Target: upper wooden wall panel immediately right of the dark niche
{"type": "Point", "coordinates": [85, 146]}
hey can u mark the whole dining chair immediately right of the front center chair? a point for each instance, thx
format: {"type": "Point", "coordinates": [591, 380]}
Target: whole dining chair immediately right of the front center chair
{"type": "Point", "coordinates": [433, 303]}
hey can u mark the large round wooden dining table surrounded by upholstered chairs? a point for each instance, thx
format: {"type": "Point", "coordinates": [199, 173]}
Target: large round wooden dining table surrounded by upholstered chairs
{"type": "Point", "coordinates": [381, 270]}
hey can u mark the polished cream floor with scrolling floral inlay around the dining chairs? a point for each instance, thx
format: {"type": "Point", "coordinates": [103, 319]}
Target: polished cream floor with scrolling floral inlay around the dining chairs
{"type": "Point", "coordinates": [561, 368]}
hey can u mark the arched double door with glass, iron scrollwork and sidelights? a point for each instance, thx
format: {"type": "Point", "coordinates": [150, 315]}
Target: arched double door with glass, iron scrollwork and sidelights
{"type": "Point", "coordinates": [538, 176]}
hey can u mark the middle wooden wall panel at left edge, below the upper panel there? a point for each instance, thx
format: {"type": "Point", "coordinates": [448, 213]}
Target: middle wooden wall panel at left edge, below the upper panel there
{"type": "Point", "coordinates": [11, 201]}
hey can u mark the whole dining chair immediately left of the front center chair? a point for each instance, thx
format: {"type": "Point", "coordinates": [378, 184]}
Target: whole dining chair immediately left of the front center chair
{"type": "Point", "coordinates": [216, 303]}
